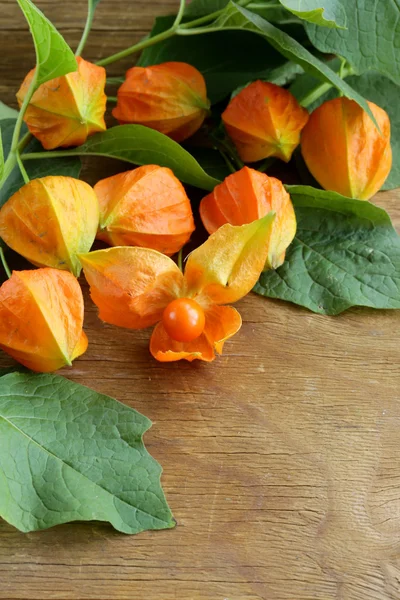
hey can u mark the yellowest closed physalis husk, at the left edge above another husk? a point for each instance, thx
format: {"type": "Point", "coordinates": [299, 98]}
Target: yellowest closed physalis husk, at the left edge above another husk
{"type": "Point", "coordinates": [50, 220]}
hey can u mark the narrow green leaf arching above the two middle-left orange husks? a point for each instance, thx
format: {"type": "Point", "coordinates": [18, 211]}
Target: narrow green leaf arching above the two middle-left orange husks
{"type": "Point", "coordinates": [143, 146]}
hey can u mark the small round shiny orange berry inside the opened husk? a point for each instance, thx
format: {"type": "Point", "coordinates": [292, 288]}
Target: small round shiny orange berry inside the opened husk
{"type": "Point", "coordinates": [184, 320]}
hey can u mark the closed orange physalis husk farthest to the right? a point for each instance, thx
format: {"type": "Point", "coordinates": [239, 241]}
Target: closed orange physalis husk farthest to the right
{"type": "Point", "coordinates": [345, 151]}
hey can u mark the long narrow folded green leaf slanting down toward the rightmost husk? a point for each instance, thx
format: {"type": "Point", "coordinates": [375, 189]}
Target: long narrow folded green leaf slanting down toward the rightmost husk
{"type": "Point", "coordinates": [236, 17]}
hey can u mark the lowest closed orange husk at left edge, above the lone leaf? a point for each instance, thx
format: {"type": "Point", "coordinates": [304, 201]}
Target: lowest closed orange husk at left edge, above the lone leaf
{"type": "Point", "coordinates": [41, 318]}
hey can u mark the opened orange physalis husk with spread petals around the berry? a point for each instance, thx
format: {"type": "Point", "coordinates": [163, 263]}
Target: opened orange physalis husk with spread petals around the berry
{"type": "Point", "coordinates": [134, 287]}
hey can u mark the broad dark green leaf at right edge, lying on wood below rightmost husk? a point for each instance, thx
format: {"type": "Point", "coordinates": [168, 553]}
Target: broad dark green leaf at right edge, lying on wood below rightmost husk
{"type": "Point", "coordinates": [345, 253]}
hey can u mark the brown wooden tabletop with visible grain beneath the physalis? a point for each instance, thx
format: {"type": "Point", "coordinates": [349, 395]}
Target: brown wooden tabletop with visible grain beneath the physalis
{"type": "Point", "coordinates": [281, 459]}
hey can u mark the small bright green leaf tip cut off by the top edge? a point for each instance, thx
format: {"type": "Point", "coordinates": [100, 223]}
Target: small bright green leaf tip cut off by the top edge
{"type": "Point", "coordinates": [327, 13]}
